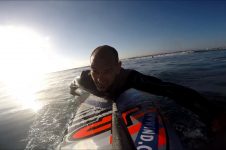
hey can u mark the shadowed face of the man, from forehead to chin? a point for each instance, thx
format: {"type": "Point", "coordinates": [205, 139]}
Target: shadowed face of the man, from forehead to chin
{"type": "Point", "coordinates": [103, 71]}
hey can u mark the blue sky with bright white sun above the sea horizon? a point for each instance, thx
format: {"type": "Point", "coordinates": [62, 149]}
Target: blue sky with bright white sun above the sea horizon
{"type": "Point", "coordinates": [58, 35]}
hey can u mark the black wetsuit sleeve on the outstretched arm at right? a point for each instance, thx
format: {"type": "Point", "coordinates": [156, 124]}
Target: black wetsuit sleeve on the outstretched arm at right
{"type": "Point", "coordinates": [184, 96]}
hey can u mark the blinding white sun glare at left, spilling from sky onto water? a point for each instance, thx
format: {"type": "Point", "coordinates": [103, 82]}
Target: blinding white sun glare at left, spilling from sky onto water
{"type": "Point", "coordinates": [24, 58]}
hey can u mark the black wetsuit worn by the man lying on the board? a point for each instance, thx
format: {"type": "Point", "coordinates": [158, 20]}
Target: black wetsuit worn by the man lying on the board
{"type": "Point", "coordinates": [184, 96]}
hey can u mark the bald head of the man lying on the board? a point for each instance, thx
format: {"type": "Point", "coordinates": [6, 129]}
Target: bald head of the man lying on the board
{"type": "Point", "coordinates": [105, 66]}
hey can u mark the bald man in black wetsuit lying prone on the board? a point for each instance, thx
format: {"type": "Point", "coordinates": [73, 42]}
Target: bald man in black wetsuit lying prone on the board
{"type": "Point", "coordinates": [108, 79]}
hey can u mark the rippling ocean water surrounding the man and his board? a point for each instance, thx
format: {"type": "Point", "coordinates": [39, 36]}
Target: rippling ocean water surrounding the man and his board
{"type": "Point", "coordinates": [22, 128]}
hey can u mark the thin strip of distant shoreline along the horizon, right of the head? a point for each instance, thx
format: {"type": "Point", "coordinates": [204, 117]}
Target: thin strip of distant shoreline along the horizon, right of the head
{"type": "Point", "coordinates": [174, 52]}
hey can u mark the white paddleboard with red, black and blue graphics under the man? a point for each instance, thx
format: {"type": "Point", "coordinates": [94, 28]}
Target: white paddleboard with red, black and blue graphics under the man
{"type": "Point", "coordinates": [91, 127]}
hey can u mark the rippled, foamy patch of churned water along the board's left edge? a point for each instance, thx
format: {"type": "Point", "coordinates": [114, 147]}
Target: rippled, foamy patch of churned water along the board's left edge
{"type": "Point", "coordinates": [50, 125]}
